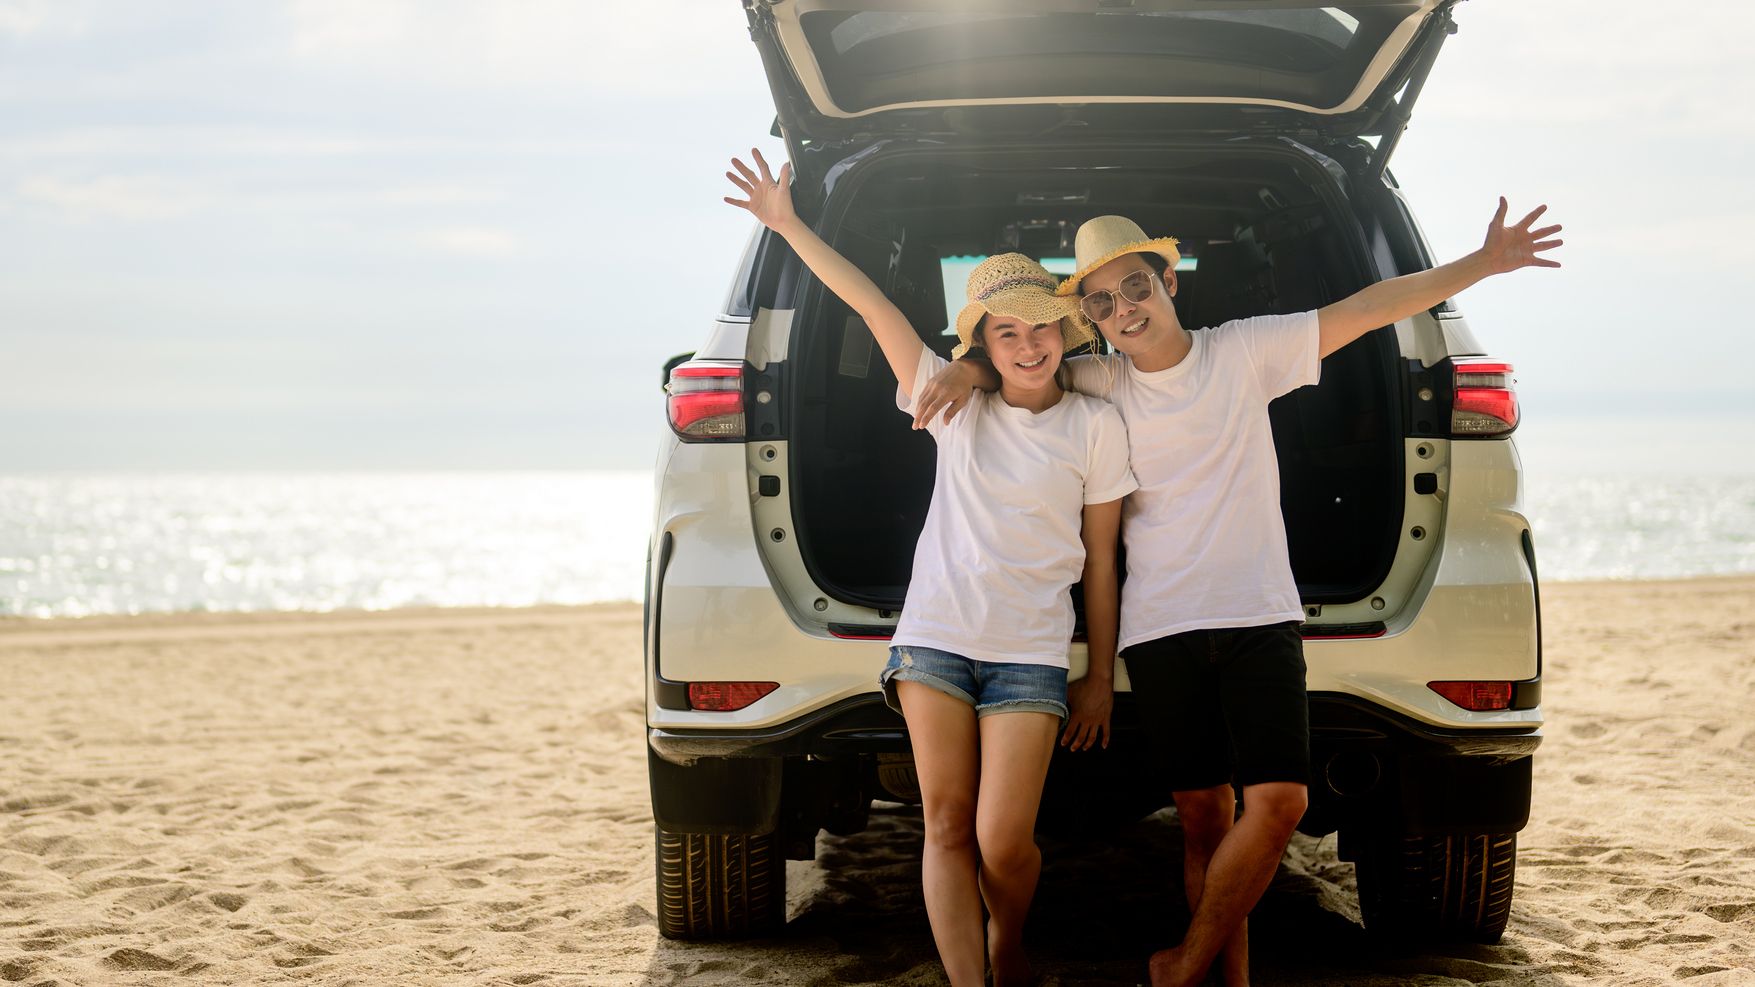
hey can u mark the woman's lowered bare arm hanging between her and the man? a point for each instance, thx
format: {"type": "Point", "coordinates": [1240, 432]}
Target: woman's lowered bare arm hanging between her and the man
{"type": "Point", "coordinates": [1092, 698]}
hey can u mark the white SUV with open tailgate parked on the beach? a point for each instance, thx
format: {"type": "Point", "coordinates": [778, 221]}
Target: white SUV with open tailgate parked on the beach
{"type": "Point", "coordinates": [791, 489]}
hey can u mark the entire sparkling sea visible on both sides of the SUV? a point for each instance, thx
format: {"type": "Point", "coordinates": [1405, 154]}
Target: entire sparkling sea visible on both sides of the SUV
{"type": "Point", "coordinates": [313, 542]}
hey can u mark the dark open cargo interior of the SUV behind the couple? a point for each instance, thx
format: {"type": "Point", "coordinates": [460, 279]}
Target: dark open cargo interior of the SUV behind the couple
{"type": "Point", "coordinates": [1257, 238]}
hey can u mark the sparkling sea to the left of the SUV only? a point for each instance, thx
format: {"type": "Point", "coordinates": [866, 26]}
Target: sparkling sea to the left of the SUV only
{"type": "Point", "coordinates": [319, 542]}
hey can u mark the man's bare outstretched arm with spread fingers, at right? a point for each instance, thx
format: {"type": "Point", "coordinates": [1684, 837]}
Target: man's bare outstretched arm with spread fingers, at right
{"type": "Point", "coordinates": [1507, 249]}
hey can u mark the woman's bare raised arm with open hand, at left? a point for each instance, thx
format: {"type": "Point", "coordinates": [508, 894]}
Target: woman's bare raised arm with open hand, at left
{"type": "Point", "coordinates": [771, 203]}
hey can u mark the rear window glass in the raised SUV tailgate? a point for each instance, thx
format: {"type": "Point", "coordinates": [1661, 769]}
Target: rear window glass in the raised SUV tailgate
{"type": "Point", "coordinates": [1312, 57]}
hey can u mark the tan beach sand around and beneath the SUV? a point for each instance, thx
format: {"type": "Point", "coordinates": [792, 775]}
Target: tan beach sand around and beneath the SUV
{"type": "Point", "coordinates": [461, 798]}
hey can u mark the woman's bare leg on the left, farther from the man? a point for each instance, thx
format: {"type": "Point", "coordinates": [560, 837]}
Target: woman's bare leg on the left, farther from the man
{"type": "Point", "coordinates": [947, 760]}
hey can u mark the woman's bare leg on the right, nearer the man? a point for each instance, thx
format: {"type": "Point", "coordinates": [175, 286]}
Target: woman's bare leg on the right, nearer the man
{"type": "Point", "coordinates": [1015, 753]}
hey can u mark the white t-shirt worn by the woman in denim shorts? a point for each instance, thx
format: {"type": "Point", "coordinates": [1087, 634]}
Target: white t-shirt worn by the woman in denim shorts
{"type": "Point", "coordinates": [1001, 547]}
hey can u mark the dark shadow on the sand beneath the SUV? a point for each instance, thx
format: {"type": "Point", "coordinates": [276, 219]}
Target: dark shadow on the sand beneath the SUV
{"type": "Point", "coordinates": [1103, 905]}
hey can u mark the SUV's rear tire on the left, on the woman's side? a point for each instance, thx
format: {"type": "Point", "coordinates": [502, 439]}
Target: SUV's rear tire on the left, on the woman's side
{"type": "Point", "coordinates": [713, 886]}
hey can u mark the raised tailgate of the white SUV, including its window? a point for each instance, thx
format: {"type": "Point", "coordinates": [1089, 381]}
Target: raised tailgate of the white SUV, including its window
{"type": "Point", "coordinates": [1117, 69]}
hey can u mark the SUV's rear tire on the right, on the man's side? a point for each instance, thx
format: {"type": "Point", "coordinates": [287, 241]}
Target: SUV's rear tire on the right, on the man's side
{"type": "Point", "coordinates": [1452, 890]}
